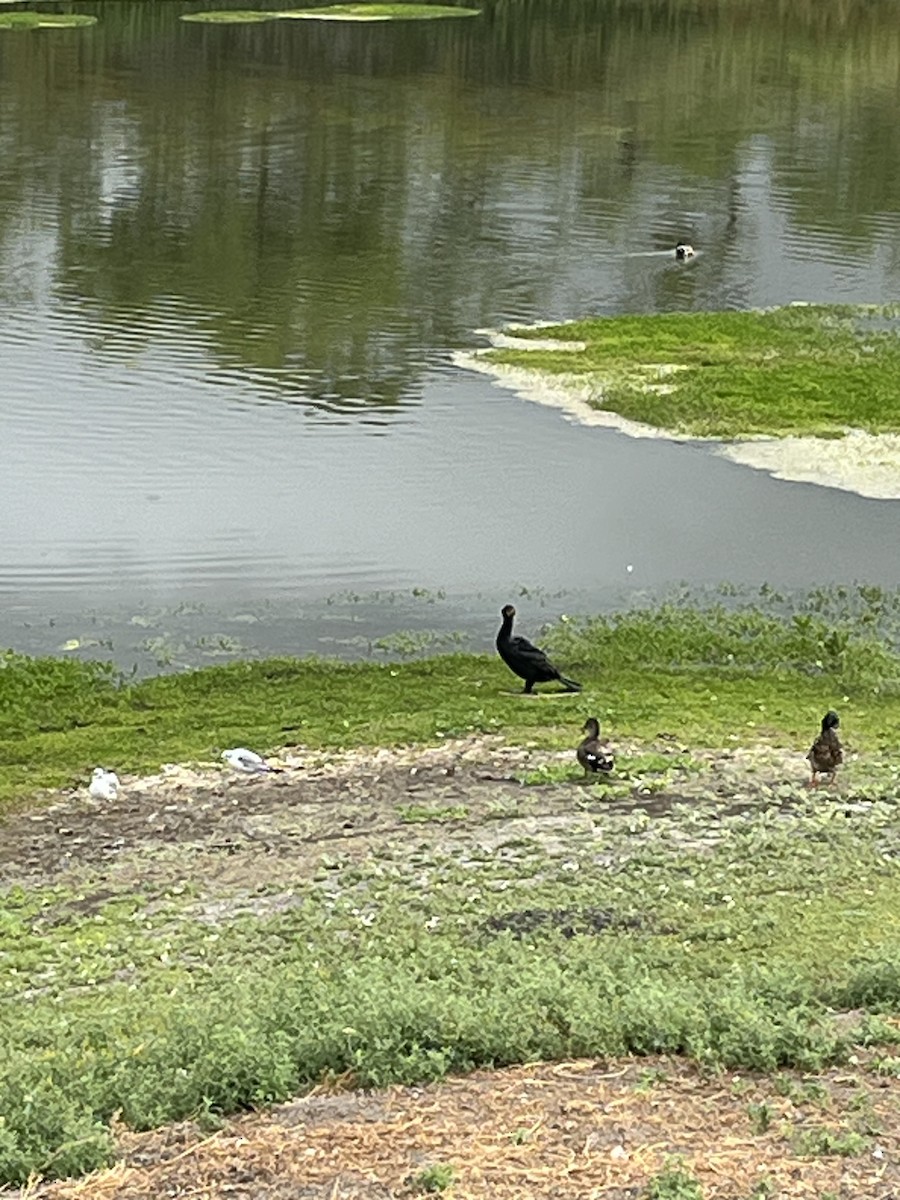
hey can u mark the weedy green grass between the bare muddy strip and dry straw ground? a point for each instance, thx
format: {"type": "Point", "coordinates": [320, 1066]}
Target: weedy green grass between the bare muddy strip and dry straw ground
{"type": "Point", "coordinates": [135, 1006]}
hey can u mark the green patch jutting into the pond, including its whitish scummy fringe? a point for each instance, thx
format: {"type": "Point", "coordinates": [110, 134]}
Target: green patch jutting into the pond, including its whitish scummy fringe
{"type": "Point", "coordinates": [805, 393]}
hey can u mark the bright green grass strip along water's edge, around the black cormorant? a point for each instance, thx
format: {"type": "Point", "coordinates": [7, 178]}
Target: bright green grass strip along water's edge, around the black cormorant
{"type": "Point", "coordinates": [712, 675]}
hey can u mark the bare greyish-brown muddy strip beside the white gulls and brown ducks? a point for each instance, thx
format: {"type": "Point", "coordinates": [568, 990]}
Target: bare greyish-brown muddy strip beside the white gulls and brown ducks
{"type": "Point", "coordinates": [227, 833]}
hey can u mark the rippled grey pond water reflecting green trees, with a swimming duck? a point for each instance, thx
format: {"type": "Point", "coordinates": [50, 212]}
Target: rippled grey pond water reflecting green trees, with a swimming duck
{"type": "Point", "coordinates": [236, 263]}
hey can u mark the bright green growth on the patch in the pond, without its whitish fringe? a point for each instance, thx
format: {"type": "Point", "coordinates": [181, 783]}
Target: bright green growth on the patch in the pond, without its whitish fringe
{"type": "Point", "coordinates": [801, 370]}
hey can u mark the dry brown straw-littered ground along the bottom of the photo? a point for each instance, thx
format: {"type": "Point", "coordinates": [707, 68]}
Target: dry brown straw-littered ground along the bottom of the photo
{"type": "Point", "coordinates": [573, 1130]}
